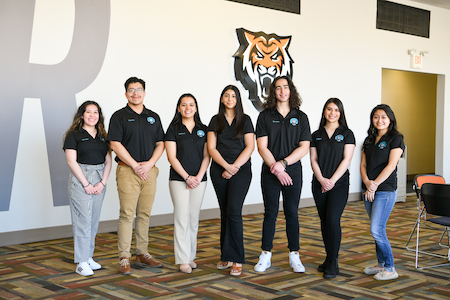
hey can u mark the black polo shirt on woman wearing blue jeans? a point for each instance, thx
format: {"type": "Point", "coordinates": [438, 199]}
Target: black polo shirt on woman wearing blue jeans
{"type": "Point", "coordinates": [377, 158]}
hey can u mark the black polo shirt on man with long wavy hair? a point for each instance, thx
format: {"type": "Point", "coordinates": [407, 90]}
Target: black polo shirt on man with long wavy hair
{"type": "Point", "coordinates": [284, 134]}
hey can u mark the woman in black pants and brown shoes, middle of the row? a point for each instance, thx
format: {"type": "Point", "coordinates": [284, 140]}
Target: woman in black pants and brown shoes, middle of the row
{"type": "Point", "coordinates": [231, 141]}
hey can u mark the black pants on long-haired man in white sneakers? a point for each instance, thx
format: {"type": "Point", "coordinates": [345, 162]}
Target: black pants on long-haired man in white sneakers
{"type": "Point", "coordinates": [271, 188]}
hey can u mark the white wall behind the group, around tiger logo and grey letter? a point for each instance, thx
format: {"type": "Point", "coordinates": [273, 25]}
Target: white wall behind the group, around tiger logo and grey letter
{"type": "Point", "coordinates": [187, 46]}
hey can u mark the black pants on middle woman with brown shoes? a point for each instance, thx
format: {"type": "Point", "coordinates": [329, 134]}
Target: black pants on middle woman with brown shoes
{"type": "Point", "coordinates": [231, 195]}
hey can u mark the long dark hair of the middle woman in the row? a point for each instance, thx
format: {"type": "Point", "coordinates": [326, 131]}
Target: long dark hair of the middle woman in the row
{"type": "Point", "coordinates": [238, 114]}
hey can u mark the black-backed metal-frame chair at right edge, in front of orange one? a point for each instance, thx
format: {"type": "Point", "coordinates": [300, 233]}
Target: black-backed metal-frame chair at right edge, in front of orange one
{"type": "Point", "coordinates": [436, 200]}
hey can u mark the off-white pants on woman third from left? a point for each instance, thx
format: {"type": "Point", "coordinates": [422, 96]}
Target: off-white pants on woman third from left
{"type": "Point", "coordinates": [186, 213]}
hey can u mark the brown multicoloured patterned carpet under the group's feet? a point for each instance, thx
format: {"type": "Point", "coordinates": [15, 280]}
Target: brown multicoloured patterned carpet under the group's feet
{"type": "Point", "coordinates": [45, 270]}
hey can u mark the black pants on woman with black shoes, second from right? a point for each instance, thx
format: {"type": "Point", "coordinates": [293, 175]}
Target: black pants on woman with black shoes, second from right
{"type": "Point", "coordinates": [330, 206]}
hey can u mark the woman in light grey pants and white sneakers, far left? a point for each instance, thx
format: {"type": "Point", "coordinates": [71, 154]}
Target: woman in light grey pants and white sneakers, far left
{"type": "Point", "coordinates": [89, 159]}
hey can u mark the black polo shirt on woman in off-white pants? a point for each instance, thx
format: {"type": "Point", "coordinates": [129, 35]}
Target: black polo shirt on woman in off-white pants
{"type": "Point", "coordinates": [190, 148]}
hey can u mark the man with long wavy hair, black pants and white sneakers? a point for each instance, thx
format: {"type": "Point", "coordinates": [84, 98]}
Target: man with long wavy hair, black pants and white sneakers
{"type": "Point", "coordinates": [283, 137]}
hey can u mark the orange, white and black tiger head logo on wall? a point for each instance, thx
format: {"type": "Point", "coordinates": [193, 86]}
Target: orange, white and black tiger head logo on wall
{"type": "Point", "coordinates": [260, 58]}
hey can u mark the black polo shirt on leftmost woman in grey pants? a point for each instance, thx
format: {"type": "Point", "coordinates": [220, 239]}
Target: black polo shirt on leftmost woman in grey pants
{"type": "Point", "coordinates": [90, 151]}
